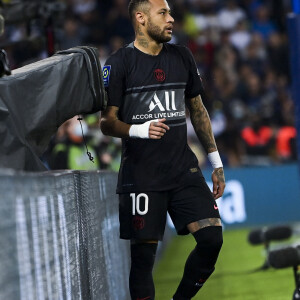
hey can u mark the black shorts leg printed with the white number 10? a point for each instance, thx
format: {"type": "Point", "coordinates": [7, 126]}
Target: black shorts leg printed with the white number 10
{"type": "Point", "coordinates": [143, 215]}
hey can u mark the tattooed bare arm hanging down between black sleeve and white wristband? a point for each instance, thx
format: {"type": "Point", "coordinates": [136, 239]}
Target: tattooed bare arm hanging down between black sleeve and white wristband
{"type": "Point", "coordinates": [201, 123]}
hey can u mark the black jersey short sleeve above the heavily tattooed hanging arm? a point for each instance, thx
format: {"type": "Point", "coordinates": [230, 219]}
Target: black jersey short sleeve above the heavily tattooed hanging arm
{"type": "Point", "coordinates": [194, 85]}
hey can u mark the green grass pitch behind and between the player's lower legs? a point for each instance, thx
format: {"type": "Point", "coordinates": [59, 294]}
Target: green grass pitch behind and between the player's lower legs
{"type": "Point", "coordinates": [234, 278]}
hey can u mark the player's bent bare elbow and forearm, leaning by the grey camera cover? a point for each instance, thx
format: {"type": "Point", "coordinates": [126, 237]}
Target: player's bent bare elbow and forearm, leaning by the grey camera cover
{"type": "Point", "coordinates": [111, 125]}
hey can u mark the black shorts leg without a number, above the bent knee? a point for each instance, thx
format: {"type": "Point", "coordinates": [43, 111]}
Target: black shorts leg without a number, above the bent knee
{"type": "Point", "coordinates": [191, 204]}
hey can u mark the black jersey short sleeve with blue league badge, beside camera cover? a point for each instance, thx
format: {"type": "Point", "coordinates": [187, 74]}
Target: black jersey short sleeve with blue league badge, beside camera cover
{"type": "Point", "coordinates": [114, 79]}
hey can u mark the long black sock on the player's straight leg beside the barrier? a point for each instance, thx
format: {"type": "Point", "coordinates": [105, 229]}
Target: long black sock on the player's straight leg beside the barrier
{"type": "Point", "coordinates": [140, 280]}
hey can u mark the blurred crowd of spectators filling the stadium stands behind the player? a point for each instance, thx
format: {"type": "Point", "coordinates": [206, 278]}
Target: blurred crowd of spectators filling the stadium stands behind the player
{"type": "Point", "coordinates": [240, 47]}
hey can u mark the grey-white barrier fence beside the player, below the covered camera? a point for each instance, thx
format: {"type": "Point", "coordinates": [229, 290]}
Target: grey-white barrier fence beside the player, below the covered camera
{"type": "Point", "coordinates": [59, 237]}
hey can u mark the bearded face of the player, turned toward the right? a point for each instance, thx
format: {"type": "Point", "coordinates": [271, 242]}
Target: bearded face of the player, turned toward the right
{"type": "Point", "coordinates": [160, 21]}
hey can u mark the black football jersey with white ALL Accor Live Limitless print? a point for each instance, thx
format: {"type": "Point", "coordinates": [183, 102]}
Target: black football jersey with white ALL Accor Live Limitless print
{"type": "Point", "coordinates": [147, 87]}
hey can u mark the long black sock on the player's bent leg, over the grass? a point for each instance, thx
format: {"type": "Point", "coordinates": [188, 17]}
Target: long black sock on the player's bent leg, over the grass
{"type": "Point", "coordinates": [201, 262]}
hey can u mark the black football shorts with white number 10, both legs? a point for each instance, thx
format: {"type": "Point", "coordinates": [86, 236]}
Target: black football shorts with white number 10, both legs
{"type": "Point", "coordinates": [143, 215]}
